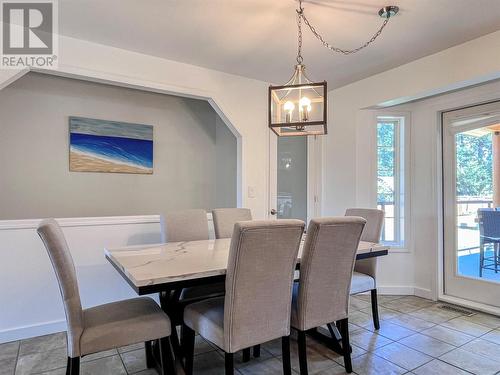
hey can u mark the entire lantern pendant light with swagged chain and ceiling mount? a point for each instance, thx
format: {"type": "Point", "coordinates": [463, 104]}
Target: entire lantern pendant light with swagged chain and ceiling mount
{"type": "Point", "coordinates": [299, 107]}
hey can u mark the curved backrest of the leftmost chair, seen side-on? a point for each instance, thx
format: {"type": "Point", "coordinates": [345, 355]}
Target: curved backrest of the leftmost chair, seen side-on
{"type": "Point", "coordinates": [64, 268]}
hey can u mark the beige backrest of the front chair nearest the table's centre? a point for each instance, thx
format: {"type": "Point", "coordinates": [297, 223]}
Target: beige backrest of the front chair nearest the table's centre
{"type": "Point", "coordinates": [259, 279]}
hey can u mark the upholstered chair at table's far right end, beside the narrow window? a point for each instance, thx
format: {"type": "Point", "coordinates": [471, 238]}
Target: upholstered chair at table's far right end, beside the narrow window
{"type": "Point", "coordinates": [365, 270]}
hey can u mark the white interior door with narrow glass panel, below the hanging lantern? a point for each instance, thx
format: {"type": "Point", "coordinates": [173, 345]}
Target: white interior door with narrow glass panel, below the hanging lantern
{"type": "Point", "coordinates": [294, 176]}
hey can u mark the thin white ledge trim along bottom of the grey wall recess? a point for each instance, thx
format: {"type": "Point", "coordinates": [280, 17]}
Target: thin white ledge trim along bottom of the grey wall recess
{"type": "Point", "coordinates": [86, 221]}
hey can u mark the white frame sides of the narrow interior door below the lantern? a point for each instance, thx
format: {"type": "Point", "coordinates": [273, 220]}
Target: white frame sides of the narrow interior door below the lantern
{"type": "Point", "coordinates": [314, 175]}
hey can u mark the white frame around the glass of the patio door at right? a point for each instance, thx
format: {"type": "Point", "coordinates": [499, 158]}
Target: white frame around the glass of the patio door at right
{"type": "Point", "coordinates": [448, 200]}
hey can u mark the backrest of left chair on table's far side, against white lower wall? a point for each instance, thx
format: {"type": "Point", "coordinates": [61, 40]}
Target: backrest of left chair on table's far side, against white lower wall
{"type": "Point", "coordinates": [186, 225]}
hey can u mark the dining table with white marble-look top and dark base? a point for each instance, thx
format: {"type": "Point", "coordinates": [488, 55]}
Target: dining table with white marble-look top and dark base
{"type": "Point", "coordinates": [168, 268]}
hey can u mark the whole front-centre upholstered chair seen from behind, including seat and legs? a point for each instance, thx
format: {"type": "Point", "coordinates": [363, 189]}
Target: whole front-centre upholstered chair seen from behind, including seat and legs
{"type": "Point", "coordinates": [257, 304]}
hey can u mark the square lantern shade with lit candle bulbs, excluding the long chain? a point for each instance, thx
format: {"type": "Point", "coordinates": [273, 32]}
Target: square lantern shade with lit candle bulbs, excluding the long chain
{"type": "Point", "coordinates": [299, 107]}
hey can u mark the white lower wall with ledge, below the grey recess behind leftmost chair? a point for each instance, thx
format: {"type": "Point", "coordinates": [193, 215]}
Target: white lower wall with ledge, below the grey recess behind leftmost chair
{"type": "Point", "coordinates": [30, 303]}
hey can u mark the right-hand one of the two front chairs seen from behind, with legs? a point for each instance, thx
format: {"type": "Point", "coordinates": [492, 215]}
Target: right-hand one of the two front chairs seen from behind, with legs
{"type": "Point", "coordinates": [322, 294]}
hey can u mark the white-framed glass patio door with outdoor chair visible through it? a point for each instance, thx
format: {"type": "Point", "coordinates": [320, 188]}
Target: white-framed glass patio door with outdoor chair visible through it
{"type": "Point", "coordinates": [471, 193]}
